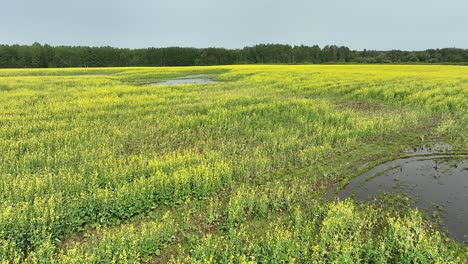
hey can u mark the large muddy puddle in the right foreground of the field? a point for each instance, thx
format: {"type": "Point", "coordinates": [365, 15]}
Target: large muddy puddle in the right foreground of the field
{"type": "Point", "coordinates": [437, 183]}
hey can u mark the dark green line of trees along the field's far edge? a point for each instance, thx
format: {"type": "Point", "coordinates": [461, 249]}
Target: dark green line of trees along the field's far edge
{"type": "Point", "coordinates": [44, 56]}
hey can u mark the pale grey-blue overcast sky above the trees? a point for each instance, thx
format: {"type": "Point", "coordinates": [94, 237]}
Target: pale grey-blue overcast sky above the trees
{"type": "Point", "coordinates": [358, 24]}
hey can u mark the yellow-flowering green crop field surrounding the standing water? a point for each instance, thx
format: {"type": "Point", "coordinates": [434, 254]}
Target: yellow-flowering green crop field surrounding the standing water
{"type": "Point", "coordinates": [99, 166]}
